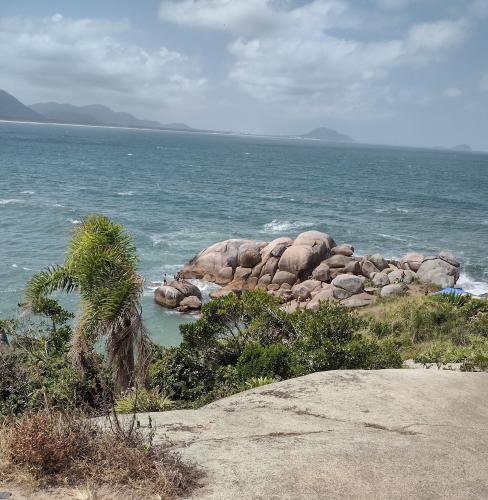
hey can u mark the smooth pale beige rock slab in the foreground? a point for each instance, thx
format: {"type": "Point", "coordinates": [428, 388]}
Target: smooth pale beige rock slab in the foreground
{"type": "Point", "coordinates": [389, 434]}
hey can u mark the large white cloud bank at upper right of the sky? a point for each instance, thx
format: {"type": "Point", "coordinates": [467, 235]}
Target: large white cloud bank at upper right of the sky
{"type": "Point", "coordinates": [300, 52]}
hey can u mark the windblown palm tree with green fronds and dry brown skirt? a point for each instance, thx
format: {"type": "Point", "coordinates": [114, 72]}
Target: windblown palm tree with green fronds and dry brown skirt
{"type": "Point", "coordinates": [100, 264]}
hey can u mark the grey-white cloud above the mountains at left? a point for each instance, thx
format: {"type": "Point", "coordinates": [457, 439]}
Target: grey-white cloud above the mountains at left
{"type": "Point", "coordinates": [91, 58]}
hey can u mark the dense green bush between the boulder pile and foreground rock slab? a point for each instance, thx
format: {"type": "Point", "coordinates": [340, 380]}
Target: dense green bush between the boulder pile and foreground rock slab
{"type": "Point", "coordinates": [238, 340]}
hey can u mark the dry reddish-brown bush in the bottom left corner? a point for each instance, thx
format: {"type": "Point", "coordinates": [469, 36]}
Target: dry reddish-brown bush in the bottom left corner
{"type": "Point", "coordinates": [60, 449]}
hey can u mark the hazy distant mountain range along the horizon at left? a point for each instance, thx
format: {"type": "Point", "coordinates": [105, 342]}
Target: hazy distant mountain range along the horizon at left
{"type": "Point", "coordinates": [94, 114]}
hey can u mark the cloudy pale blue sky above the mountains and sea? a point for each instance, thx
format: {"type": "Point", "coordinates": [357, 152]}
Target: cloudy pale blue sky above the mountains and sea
{"type": "Point", "coordinates": [405, 72]}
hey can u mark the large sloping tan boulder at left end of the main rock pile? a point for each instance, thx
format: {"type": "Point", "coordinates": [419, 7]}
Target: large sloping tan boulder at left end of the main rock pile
{"type": "Point", "coordinates": [216, 257]}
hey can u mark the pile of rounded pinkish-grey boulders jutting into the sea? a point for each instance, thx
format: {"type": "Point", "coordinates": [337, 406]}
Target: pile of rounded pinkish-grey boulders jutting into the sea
{"type": "Point", "coordinates": [304, 272]}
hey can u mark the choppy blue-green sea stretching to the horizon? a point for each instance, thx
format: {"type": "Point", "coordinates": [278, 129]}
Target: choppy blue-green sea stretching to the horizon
{"type": "Point", "coordinates": [179, 192]}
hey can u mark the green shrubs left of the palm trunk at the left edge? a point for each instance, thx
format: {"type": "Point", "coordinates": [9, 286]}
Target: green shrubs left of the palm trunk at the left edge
{"type": "Point", "coordinates": [37, 371]}
